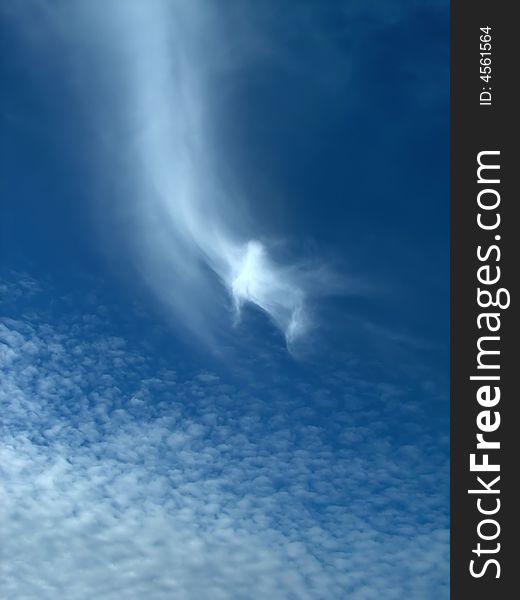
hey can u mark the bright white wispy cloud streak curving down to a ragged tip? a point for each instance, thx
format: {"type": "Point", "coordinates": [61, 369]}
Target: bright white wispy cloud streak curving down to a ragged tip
{"type": "Point", "coordinates": [198, 229]}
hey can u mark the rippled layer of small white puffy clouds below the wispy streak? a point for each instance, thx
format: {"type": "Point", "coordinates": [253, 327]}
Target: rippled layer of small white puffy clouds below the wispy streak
{"type": "Point", "coordinates": [122, 479]}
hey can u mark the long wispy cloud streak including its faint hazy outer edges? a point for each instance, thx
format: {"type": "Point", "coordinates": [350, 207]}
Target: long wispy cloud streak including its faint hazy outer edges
{"type": "Point", "coordinates": [149, 68]}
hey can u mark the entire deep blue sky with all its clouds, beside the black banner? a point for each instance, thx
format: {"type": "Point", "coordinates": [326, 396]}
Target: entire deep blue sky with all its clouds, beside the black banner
{"type": "Point", "coordinates": [225, 296]}
